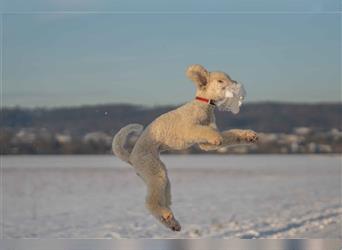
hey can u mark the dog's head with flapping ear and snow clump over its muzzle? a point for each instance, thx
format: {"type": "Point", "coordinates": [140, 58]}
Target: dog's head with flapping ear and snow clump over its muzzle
{"type": "Point", "coordinates": [217, 86]}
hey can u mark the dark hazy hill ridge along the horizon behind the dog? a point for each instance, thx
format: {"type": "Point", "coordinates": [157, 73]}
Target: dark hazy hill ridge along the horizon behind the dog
{"type": "Point", "coordinates": [262, 117]}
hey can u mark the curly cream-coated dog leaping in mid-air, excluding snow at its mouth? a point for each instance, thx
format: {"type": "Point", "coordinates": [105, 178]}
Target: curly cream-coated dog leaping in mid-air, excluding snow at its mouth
{"type": "Point", "coordinates": [192, 123]}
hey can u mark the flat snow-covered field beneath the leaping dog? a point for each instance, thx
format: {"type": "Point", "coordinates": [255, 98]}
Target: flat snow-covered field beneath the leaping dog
{"type": "Point", "coordinates": [213, 197]}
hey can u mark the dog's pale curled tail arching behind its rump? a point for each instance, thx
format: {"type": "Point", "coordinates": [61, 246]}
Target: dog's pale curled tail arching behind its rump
{"type": "Point", "coordinates": [125, 139]}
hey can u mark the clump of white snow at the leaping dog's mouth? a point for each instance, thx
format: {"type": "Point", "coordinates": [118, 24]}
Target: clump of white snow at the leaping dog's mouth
{"type": "Point", "coordinates": [234, 96]}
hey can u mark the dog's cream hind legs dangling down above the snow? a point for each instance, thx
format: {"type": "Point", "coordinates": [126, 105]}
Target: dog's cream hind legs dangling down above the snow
{"type": "Point", "coordinates": [153, 172]}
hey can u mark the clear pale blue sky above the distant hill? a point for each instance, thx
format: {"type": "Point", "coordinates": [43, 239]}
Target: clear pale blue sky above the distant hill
{"type": "Point", "coordinates": [67, 58]}
